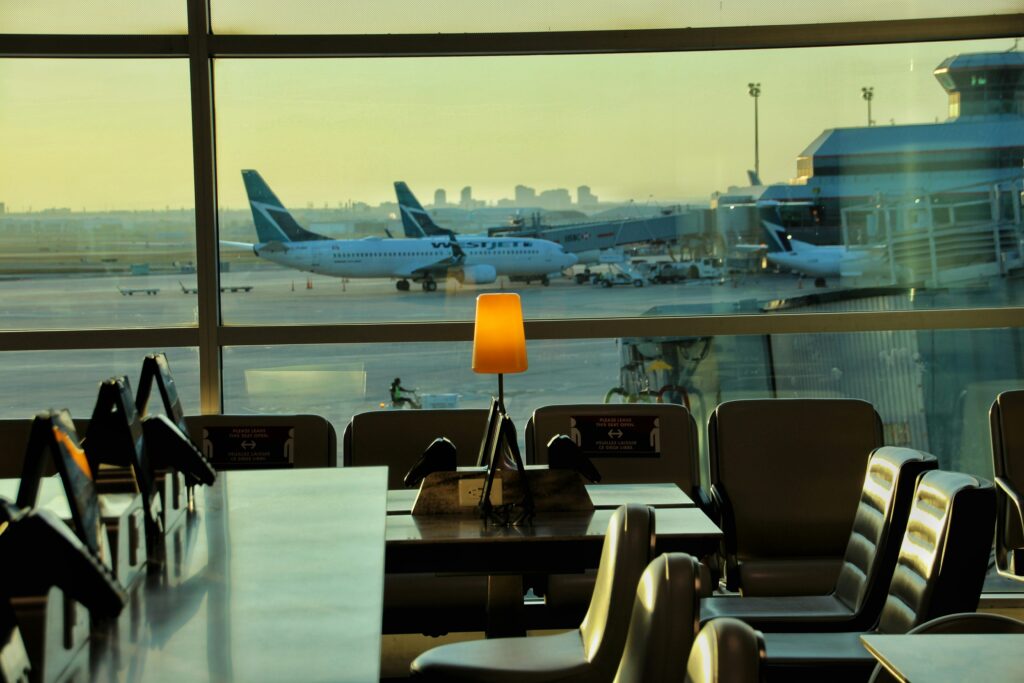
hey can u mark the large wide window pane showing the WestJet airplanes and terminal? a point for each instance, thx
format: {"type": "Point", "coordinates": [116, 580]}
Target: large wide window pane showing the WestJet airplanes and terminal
{"type": "Point", "coordinates": [635, 166]}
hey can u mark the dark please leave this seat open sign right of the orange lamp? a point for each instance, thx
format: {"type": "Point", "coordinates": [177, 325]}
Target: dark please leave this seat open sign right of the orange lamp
{"type": "Point", "coordinates": [617, 437]}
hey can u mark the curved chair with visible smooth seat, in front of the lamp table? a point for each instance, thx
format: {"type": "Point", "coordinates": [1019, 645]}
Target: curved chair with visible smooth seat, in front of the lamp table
{"type": "Point", "coordinates": [590, 653]}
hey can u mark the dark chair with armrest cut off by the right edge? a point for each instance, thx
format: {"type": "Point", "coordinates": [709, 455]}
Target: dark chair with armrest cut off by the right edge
{"type": "Point", "coordinates": [1007, 423]}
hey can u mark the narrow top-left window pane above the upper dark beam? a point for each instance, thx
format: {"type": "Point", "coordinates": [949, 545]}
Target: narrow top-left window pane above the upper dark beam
{"type": "Point", "coordinates": [107, 17]}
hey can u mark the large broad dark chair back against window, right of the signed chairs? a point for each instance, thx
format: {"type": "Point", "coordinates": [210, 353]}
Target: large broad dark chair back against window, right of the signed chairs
{"type": "Point", "coordinates": [785, 475]}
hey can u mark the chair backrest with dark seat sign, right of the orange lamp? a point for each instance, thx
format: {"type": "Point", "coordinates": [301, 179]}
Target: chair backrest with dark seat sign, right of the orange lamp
{"type": "Point", "coordinates": [668, 452]}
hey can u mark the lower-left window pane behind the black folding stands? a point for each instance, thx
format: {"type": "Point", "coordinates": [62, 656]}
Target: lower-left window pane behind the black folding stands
{"type": "Point", "coordinates": [39, 380]}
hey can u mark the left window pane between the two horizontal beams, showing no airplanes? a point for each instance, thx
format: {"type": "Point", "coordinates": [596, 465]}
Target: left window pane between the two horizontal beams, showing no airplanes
{"type": "Point", "coordinates": [97, 220]}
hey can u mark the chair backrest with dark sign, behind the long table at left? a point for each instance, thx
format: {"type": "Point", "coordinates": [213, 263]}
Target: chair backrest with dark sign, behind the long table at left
{"type": "Point", "coordinates": [265, 442]}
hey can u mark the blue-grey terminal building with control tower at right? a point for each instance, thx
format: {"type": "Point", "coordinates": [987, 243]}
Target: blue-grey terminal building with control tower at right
{"type": "Point", "coordinates": [862, 187]}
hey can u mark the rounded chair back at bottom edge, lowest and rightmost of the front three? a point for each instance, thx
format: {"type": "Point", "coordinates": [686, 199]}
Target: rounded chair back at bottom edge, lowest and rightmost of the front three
{"type": "Point", "coordinates": [727, 651]}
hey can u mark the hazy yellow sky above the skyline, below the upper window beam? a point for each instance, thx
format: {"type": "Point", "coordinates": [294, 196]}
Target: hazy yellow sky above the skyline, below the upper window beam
{"type": "Point", "coordinates": [107, 135]}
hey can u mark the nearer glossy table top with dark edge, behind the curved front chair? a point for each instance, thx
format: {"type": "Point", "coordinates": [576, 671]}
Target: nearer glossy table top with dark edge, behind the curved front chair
{"type": "Point", "coordinates": [556, 542]}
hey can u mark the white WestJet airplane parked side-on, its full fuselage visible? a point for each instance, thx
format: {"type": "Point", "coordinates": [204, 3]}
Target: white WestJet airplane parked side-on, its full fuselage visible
{"type": "Point", "coordinates": [424, 261]}
